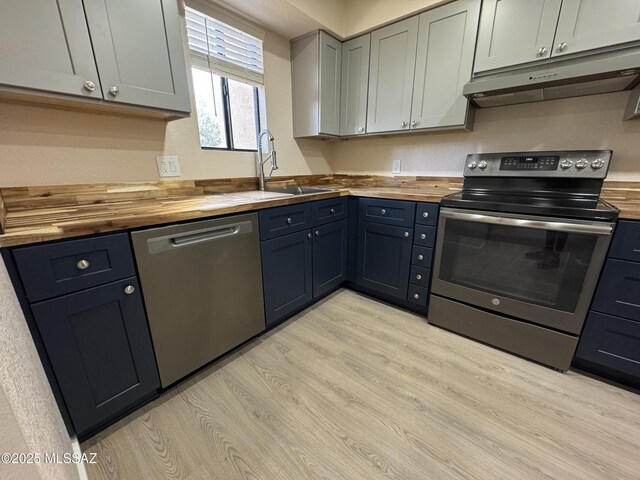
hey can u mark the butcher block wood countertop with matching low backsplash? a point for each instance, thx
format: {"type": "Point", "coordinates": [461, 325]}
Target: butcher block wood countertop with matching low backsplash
{"type": "Point", "coordinates": [37, 214]}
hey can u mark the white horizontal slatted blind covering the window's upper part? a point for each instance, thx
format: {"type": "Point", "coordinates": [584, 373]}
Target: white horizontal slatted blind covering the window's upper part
{"type": "Point", "coordinates": [223, 49]}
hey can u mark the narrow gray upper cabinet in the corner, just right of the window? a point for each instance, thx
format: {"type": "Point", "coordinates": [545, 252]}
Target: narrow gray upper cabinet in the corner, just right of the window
{"type": "Point", "coordinates": [316, 62]}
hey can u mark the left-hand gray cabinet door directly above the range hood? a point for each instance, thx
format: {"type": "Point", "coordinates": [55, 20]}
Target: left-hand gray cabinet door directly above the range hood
{"type": "Point", "coordinates": [515, 31]}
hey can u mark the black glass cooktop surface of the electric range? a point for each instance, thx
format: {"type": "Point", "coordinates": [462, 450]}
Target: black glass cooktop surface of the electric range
{"type": "Point", "coordinates": [568, 206]}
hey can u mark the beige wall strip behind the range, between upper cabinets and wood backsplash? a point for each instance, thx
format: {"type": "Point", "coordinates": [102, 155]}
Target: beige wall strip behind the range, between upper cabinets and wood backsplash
{"type": "Point", "coordinates": [579, 123]}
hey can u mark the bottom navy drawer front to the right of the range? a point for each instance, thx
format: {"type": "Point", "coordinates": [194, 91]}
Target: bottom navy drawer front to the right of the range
{"type": "Point", "coordinates": [611, 346]}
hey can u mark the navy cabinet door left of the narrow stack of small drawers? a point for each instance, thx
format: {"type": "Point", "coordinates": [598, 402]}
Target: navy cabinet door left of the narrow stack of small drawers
{"type": "Point", "coordinates": [384, 258]}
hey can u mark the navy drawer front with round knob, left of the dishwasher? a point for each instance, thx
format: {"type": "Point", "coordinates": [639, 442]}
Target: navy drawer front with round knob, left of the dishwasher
{"type": "Point", "coordinates": [64, 267]}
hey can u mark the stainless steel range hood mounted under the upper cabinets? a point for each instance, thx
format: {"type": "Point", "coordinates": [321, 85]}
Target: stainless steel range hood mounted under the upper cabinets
{"type": "Point", "coordinates": [604, 72]}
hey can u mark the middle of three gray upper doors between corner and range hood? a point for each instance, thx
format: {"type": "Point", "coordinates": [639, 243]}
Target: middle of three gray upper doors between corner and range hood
{"type": "Point", "coordinates": [393, 58]}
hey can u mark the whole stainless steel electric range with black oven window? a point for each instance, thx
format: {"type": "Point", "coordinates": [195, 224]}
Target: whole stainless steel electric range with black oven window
{"type": "Point", "coordinates": [519, 251]}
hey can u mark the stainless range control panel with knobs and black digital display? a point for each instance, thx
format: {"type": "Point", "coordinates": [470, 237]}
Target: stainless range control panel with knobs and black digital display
{"type": "Point", "coordinates": [570, 164]}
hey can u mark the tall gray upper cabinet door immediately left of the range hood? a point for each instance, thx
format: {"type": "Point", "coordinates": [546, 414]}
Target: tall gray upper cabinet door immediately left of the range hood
{"type": "Point", "coordinates": [444, 62]}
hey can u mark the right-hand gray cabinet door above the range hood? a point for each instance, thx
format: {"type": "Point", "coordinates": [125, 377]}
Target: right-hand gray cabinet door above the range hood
{"type": "Point", "coordinates": [588, 24]}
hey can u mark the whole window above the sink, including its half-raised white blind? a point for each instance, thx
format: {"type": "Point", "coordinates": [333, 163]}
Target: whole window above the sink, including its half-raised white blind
{"type": "Point", "coordinates": [227, 70]}
